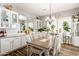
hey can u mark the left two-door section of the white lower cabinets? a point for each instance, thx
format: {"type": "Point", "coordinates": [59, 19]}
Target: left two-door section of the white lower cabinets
{"type": "Point", "coordinates": [9, 44]}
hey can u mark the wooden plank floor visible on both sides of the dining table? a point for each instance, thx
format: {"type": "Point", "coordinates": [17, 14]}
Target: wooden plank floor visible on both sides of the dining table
{"type": "Point", "coordinates": [66, 50]}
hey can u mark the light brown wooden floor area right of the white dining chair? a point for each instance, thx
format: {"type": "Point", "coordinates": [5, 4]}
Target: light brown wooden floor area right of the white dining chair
{"type": "Point", "coordinates": [69, 50]}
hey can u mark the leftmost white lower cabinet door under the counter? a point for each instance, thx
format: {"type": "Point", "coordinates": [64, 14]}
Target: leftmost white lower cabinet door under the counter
{"type": "Point", "coordinates": [6, 45]}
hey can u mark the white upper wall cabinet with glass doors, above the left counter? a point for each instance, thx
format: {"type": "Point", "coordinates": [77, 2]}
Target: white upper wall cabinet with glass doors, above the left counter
{"type": "Point", "coordinates": [7, 18]}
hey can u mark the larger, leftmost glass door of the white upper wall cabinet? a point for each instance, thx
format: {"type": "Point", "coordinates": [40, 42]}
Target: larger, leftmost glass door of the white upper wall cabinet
{"type": "Point", "coordinates": [5, 18]}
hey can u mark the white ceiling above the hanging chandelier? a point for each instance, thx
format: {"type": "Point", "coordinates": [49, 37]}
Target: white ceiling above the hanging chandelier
{"type": "Point", "coordinates": [41, 9]}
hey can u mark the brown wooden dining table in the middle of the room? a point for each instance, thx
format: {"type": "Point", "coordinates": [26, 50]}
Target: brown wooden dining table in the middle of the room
{"type": "Point", "coordinates": [40, 44]}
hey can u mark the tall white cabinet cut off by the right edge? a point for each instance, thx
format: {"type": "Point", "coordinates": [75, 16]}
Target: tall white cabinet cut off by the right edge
{"type": "Point", "coordinates": [75, 38]}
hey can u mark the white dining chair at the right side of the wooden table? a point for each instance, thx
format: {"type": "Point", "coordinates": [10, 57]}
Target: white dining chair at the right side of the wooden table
{"type": "Point", "coordinates": [55, 44]}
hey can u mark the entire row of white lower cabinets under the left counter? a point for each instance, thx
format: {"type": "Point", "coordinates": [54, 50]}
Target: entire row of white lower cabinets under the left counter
{"type": "Point", "coordinates": [11, 43]}
